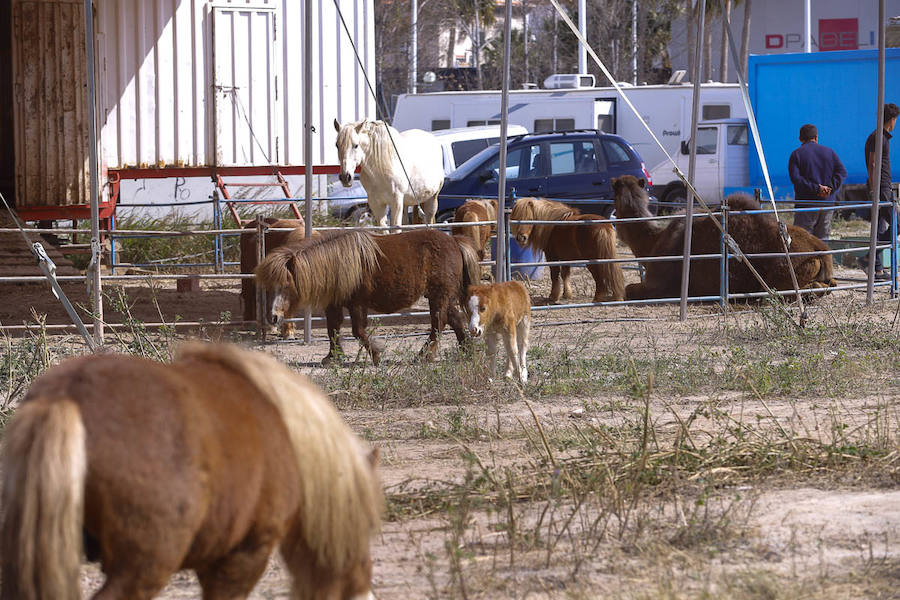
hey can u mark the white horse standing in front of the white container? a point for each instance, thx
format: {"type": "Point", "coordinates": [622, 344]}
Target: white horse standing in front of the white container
{"type": "Point", "coordinates": [387, 181]}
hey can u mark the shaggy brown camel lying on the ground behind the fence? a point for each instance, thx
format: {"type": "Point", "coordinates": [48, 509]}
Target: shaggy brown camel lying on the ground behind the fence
{"type": "Point", "coordinates": [753, 233]}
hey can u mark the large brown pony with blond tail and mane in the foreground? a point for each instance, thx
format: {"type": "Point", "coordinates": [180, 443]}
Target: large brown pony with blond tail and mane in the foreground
{"type": "Point", "coordinates": [207, 463]}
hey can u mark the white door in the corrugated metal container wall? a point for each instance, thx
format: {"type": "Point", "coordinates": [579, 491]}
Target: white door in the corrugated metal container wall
{"type": "Point", "coordinates": [245, 72]}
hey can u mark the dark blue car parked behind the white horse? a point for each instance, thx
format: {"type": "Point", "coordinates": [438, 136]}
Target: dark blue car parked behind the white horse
{"type": "Point", "coordinates": [574, 167]}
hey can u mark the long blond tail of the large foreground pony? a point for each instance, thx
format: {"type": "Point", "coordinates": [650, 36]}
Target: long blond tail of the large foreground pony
{"type": "Point", "coordinates": [45, 463]}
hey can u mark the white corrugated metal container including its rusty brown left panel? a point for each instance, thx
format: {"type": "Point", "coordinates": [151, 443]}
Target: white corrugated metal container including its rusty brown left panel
{"type": "Point", "coordinates": [182, 83]}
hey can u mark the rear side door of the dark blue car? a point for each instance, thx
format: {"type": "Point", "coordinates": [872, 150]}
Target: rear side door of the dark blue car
{"type": "Point", "coordinates": [577, 173]}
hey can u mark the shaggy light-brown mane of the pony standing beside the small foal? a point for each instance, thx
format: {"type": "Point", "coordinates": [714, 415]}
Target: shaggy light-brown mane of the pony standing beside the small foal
{"type": "Point", "coordinates": [323, 270]}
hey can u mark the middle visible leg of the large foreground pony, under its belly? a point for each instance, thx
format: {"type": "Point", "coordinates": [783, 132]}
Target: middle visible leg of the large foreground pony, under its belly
{"type": "Point", "coordinates": [233, 577]}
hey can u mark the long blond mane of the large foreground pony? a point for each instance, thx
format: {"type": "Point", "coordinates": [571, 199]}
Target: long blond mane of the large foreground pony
{"type": "Point", "coordinates": [342, 501]}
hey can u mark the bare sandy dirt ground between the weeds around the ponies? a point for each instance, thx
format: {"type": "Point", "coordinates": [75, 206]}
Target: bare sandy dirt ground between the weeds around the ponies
{"type": "Point", "coordinates": [792, 533]}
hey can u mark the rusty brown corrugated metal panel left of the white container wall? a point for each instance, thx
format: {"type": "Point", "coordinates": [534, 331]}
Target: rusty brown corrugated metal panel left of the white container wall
{"type": "Point", "coordinates": [49, 103]}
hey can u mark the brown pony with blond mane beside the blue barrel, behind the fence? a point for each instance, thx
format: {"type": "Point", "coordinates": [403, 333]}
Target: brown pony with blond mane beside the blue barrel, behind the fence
{"type": "Point", "coordinates": [570, 242]}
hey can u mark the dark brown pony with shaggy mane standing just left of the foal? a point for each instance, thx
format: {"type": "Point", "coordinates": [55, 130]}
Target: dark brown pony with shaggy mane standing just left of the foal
{"type": "Point", "coordinates": [361, 271]}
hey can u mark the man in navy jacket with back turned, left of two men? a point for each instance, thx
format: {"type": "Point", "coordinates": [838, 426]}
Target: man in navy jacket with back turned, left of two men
{"type": "Point", "coordinates": [817, 173]}
